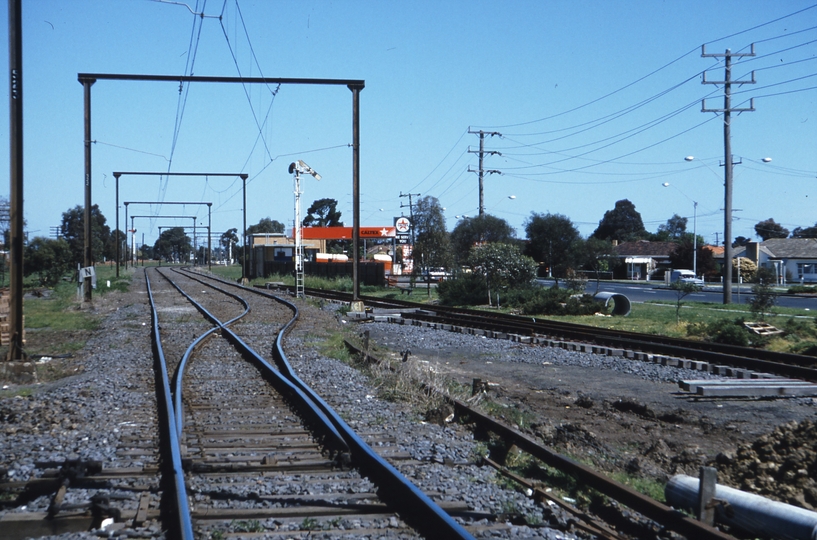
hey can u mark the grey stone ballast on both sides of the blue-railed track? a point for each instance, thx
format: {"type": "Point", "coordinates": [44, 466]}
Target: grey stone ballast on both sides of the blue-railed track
{"type": "Point", "coordinates": [87, 416]}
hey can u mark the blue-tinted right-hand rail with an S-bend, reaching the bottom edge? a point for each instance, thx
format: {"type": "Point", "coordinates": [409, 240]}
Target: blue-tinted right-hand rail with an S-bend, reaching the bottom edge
{"type": "Point", "coordinates": [414, 506]}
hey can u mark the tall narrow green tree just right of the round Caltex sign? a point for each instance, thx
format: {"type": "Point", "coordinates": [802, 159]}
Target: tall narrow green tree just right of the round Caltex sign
{"type": "Point", "coordinates": [432, 248]}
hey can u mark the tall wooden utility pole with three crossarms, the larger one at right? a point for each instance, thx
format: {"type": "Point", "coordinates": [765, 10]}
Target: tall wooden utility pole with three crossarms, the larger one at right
{"type": "Point", "coordinates": [727, 111]}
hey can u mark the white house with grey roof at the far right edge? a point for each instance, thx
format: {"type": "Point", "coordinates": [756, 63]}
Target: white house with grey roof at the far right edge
{"type": "Point", "coordinates": [792, 259]}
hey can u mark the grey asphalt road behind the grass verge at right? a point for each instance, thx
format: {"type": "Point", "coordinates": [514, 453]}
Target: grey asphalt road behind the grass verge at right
{"type": "Point", "coordinates": [639, 291]}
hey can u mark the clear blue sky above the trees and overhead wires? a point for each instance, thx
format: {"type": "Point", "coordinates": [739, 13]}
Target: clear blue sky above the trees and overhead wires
{"type": "Point", "coordinates": [595, 101]}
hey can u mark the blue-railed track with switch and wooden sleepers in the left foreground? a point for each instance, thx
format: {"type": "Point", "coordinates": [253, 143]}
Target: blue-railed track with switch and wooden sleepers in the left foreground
{"type": "Point", "coordinates": [230, 445]}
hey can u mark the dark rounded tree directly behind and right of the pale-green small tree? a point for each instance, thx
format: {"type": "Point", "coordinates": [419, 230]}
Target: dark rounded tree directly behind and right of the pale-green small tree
{"type": "Point", "coordinates": [551, 238]}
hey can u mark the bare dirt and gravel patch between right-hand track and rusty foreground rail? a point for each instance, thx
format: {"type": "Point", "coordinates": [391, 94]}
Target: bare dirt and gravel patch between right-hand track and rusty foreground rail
{"type": "Point", "coordinates": [623, 423]}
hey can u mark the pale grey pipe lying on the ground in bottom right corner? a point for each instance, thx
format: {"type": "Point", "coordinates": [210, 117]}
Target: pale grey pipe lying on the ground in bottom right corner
{"type": "Point", "coordinates": [754, 514]}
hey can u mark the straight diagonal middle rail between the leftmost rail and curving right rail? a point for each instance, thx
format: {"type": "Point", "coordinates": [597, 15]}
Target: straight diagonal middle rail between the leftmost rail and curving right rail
{"type": "Point", "coordinates": [312, 415]}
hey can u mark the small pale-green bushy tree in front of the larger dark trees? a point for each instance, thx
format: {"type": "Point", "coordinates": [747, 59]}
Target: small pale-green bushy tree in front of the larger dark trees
{"type": "Point", "coordinates": [502, 265]}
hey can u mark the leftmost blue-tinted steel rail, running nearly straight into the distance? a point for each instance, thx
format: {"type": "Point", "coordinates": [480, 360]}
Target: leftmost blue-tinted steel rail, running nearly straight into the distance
{"type": "Point", "coordinates": [182, 521]}
